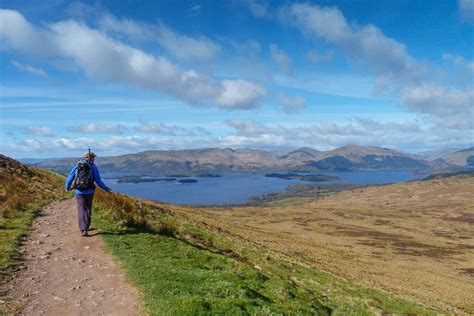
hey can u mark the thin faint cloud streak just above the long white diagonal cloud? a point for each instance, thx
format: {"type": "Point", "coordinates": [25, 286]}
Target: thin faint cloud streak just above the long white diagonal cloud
{"type": "Point", "coordinates": [179, 45]}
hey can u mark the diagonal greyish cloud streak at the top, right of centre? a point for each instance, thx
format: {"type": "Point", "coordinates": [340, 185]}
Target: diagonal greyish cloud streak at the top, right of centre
{"type": "Point", "coordinates": [365, 46]}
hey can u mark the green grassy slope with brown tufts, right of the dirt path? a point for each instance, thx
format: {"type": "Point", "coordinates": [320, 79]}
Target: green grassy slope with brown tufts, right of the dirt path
{"type": "Point", "coordinates": [182, 267]}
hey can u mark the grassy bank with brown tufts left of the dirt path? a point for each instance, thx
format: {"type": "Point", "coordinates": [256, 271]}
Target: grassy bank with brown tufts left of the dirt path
{"type": "Point", "coordinates": [23, 191]}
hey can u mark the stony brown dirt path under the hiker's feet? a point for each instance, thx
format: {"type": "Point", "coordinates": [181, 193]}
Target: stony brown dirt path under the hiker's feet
{"type": "Point", "coordinates": [67, 274]}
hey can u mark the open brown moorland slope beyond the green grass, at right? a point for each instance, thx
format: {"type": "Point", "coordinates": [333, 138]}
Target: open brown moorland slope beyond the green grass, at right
{"type": "Point", "coordinates": [415, 239]}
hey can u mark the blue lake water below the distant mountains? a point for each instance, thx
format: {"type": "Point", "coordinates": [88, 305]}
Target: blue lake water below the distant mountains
{"type": "Point", "coordinates": [238, 188]}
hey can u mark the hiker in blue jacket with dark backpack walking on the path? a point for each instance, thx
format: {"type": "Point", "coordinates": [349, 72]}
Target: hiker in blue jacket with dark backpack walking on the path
{"type": "Point", "coordinates": [82, 178]}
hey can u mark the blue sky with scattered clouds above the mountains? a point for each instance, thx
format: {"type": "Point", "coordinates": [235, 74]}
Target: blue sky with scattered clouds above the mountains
{"type": "Point", "coordinates": [127, 76]}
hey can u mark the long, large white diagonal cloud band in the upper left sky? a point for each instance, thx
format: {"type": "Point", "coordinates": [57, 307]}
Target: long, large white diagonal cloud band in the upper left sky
{"type": "Point", "coordinates": [101, 57]}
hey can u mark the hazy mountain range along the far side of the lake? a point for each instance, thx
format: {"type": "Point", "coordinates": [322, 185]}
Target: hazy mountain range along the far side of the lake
{"type": "Point", "coordinates": [219, 160]}
